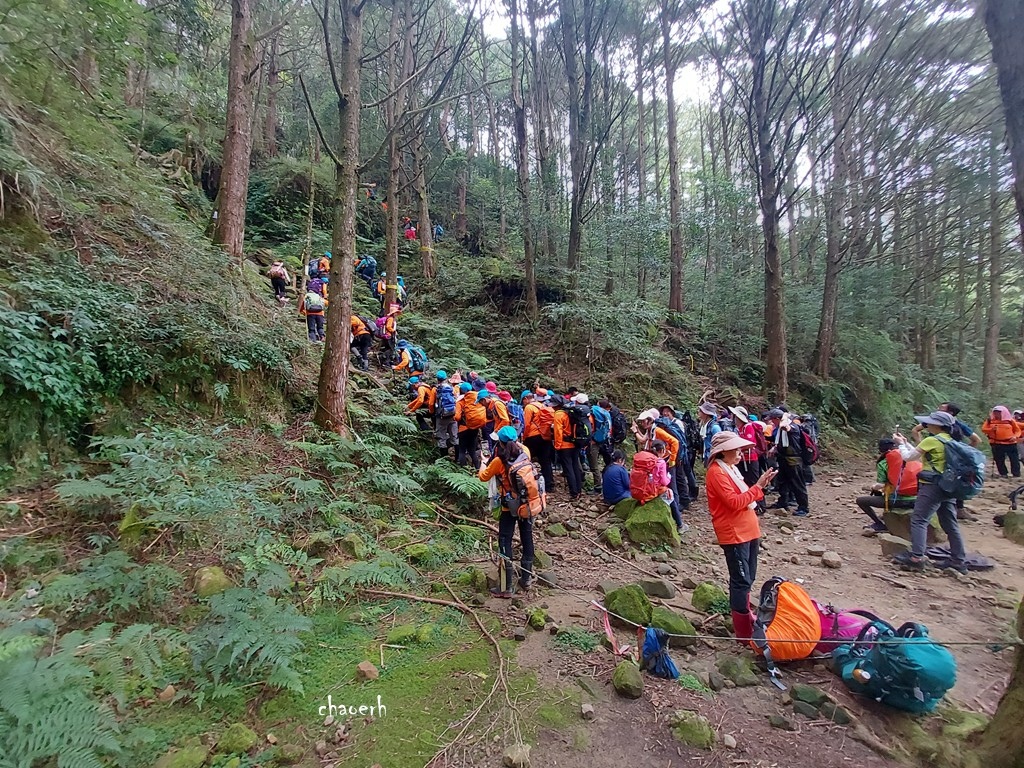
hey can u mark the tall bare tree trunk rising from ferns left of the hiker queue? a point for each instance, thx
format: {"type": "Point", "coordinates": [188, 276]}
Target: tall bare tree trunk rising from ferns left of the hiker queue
{"type": "Point", "coordinates": [330, 412]}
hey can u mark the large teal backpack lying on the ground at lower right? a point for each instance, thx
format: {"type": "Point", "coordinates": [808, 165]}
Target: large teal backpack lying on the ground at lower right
{"type": "Point", "coordinates": [904, 668]}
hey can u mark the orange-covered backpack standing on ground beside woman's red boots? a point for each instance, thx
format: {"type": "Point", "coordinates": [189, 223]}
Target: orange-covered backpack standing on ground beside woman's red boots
{"type": "Point", "coordinates": [786, 613]}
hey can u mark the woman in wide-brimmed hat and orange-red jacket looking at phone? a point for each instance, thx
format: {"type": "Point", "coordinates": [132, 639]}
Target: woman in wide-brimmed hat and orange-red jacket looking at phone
{"type": "Point", "coordinates": [733, 505]}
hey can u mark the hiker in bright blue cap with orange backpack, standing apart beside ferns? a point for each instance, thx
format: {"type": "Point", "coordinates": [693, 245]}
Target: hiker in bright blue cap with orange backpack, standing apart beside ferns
{"type": "Point", "coordinates": [510, 457]}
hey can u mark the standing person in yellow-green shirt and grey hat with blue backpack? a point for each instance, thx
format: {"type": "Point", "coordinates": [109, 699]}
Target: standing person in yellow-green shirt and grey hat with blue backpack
{"type": "Point", "coordinates": [931, 451]}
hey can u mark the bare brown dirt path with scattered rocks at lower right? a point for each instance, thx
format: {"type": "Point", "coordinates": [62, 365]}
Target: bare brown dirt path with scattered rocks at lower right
{"type": "Point", "coordinates": [977, 608]}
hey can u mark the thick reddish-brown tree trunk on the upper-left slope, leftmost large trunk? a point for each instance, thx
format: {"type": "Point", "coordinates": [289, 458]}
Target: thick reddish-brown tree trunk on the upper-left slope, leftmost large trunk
{"type": "Point", "coordinates": [229, 227]}
